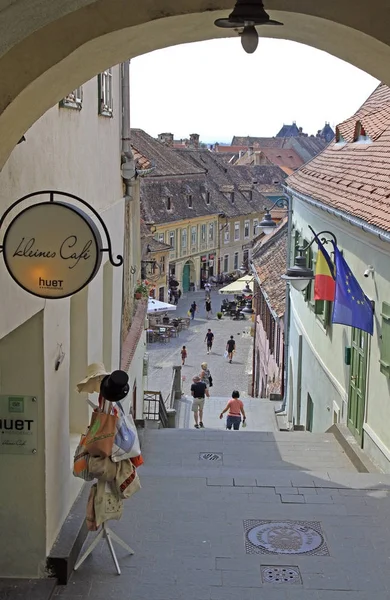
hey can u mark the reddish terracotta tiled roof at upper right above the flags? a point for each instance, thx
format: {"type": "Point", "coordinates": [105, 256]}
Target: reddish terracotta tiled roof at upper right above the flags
{"type": "Point", "coordinates": [355, 177]}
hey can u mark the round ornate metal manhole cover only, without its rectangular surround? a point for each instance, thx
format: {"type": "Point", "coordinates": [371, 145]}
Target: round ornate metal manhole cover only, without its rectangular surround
{"type": "Point", "coordinates": [285, 538]}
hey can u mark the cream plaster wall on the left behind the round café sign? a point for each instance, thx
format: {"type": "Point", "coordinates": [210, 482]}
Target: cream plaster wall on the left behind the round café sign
{"type": "Point", "coordinates": [76, 152]}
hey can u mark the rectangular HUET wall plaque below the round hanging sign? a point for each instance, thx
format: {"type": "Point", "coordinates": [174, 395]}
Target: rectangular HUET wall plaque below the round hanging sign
{"type": "Point", "coordinates": [18, 424]}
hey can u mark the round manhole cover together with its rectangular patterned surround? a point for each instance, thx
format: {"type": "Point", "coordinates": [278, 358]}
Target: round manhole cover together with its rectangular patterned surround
{"type": "Point", "coordinates": [284, 537]}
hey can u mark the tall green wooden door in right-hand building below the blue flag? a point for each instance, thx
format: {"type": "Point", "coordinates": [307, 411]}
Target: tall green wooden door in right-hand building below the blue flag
{"type": "Point", "coordinates": [357, 384]}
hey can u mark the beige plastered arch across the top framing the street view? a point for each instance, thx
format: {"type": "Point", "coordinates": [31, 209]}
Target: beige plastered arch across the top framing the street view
{"type": "Point", "coordinates": [49, 47]}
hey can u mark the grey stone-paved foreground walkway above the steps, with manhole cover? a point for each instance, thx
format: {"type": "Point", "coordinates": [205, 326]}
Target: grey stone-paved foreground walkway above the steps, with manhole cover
{"type": "Point", "coordinates": [246, 516]}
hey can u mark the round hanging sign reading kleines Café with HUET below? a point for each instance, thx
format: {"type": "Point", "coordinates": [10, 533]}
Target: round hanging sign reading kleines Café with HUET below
{"type": "Point", "coordinates": [52, 249]}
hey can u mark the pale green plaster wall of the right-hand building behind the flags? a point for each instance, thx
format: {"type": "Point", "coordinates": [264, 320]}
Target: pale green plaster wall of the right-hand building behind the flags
{"type": "Point", "coordinates": [324, 373]}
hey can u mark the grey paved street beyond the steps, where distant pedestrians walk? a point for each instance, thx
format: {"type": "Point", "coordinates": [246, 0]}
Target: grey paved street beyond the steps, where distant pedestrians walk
{"type": "Point", "coordinates": [226, 377]}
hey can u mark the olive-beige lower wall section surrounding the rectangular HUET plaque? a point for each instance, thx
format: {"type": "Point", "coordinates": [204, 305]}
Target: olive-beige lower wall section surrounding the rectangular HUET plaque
{"type": "Point", "coordinates": [22, 495]}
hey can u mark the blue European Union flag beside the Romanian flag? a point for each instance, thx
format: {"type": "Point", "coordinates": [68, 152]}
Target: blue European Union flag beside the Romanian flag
{"type": "Point", "coordinates": [351, 306]}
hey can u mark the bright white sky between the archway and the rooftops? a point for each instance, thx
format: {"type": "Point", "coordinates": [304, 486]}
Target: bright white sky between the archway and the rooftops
{"type": "Point", "coordinates": [217, 90]}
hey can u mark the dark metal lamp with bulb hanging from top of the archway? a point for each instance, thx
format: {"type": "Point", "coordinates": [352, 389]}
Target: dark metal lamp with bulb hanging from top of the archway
{"type": "Point", "coordinates": [247, 14]}
